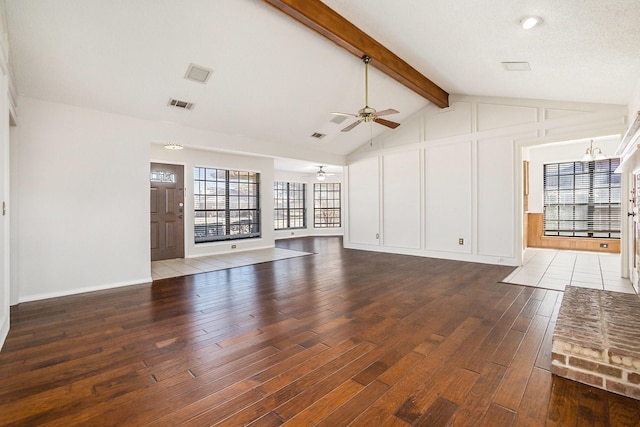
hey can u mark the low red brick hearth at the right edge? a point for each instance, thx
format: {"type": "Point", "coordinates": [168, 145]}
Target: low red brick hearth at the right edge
{"type": "Point", "coordinates": [597, 340]}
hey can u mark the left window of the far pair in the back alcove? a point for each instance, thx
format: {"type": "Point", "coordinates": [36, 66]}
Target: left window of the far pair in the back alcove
{"type": "Point", "coordinates": [290, 205]}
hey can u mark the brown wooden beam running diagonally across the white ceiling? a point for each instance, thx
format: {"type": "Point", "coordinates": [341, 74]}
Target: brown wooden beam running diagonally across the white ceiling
{"type": "Point", "coordinates": [324, 20]}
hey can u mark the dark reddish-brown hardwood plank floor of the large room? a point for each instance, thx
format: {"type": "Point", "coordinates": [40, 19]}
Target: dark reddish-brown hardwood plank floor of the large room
{"type": "Point", "coordinates": [342, 337]}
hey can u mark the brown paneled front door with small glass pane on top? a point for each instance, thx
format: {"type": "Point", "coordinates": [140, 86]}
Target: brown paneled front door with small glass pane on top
{"type": "Point", "coordinates": [167, 211]}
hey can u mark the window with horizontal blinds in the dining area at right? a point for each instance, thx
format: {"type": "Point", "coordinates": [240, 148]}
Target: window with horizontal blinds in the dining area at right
{"type": "Point", "coordinates": [582, 199]}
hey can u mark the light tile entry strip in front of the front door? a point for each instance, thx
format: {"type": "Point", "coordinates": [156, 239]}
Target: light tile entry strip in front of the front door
{"type": "Point", "coordinates": [185, 266]}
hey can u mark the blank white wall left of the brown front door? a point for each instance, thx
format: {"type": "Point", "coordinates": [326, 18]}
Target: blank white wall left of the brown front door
{"type": "Point", "coordinates": [83, 200]}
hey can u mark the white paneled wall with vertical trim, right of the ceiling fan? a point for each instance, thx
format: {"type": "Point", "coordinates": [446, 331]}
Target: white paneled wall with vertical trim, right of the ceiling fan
{"type": "Point", "coordinates": [463, 175]}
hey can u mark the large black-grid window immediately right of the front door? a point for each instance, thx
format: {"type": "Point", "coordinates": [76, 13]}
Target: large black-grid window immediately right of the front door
{"type": "Point", "coordinates": [227, 204]}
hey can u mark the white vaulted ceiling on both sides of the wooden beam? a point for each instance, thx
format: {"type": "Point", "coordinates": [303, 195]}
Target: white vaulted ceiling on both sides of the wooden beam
{"type": "Point", "coordinates": [276, 80]}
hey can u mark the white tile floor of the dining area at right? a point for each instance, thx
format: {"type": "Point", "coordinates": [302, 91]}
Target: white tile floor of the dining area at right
{"type": "Point", "coordinates": [552, 269]}
